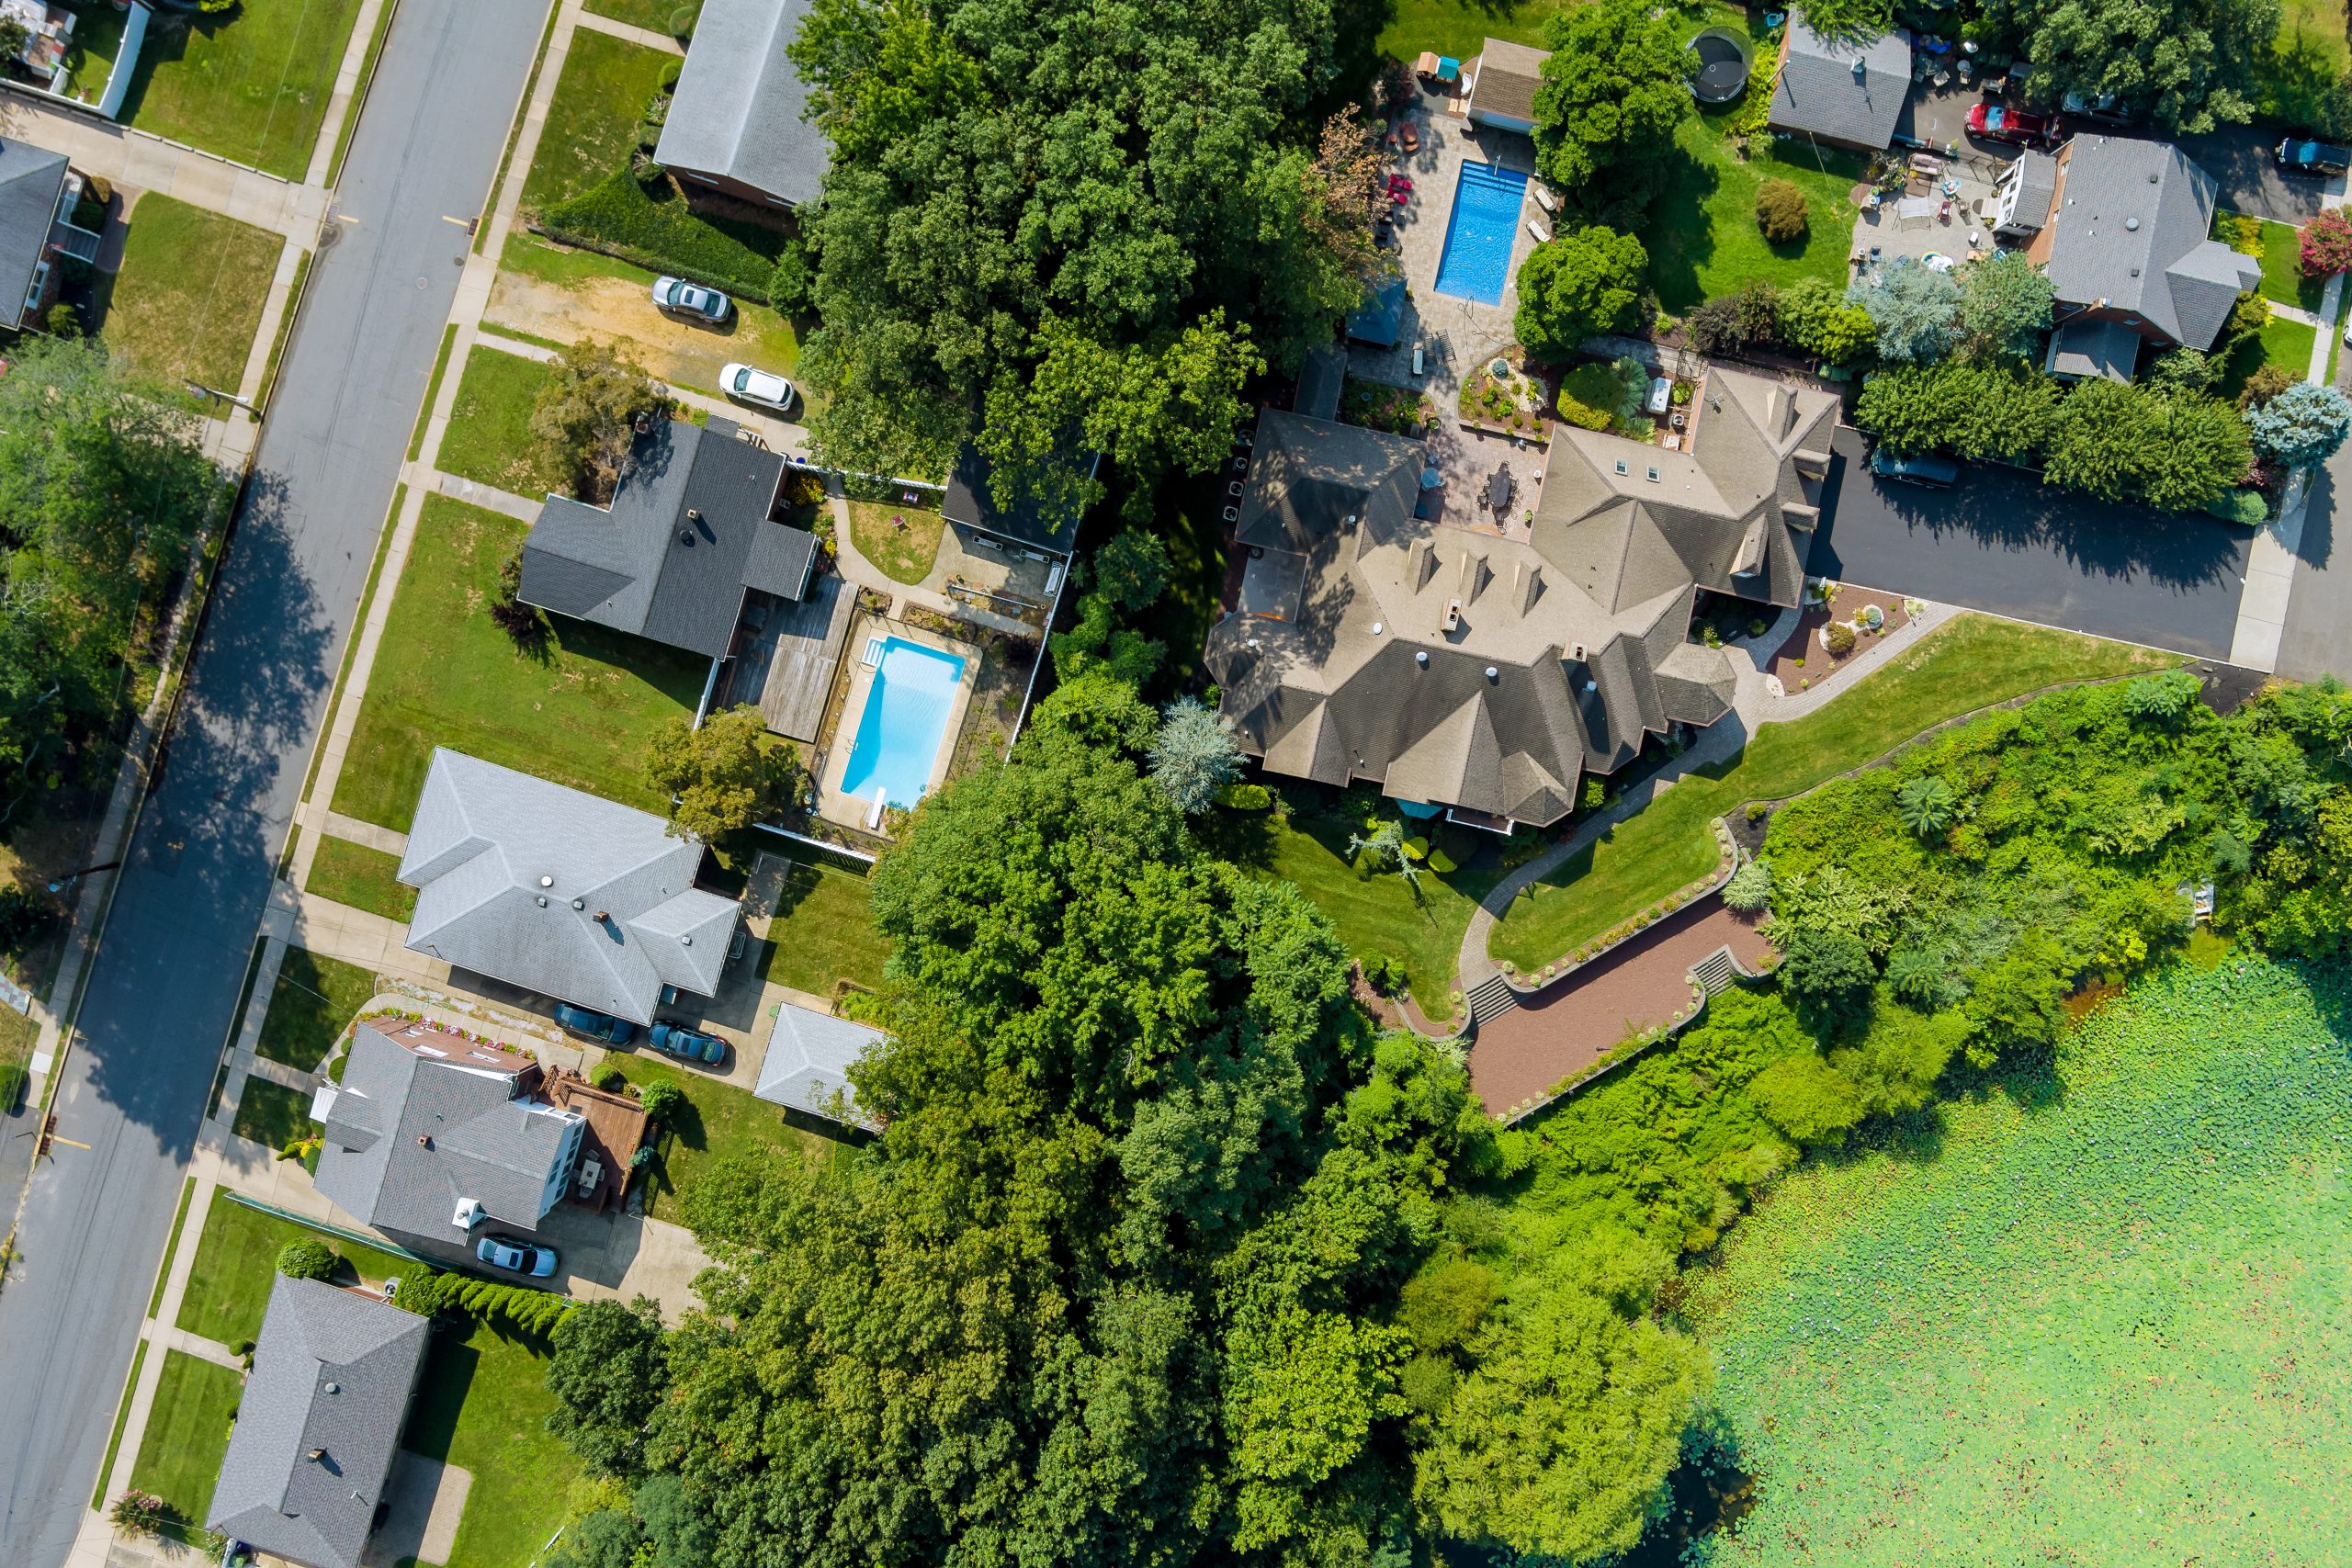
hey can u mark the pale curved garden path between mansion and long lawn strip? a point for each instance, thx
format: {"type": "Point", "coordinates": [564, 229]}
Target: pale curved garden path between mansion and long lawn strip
{"type": "Point", "coordinates": [1751, 709]}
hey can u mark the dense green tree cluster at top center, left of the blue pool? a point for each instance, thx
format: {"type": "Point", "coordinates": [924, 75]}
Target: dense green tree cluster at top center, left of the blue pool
{"type": "Point", "coordinates": [1069, 227]}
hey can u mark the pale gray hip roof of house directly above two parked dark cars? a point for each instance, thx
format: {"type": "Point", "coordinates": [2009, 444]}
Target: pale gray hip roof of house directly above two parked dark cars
{"type": "Point", "coordinates": [500, 862]}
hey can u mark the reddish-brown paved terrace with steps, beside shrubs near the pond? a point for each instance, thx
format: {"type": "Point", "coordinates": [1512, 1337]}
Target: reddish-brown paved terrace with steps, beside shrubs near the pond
{"type": "Point", "coordinates": [1638, 986]}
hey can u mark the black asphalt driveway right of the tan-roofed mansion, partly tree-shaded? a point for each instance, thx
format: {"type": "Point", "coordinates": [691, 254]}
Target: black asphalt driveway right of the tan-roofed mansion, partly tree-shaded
{"type": "Point", "coordinates": [2007, 544]}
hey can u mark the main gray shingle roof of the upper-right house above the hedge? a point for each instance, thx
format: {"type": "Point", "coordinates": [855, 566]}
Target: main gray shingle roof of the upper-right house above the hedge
{"type": "Point", "coordinates": [2132, 229]}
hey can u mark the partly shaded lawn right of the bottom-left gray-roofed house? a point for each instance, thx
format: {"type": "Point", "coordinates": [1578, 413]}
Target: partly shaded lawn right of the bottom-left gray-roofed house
{"type": "Point", "coordinates": [483, 1405]}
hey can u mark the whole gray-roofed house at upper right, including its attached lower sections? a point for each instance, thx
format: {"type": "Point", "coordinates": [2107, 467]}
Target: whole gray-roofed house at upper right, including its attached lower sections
{"type": "Point", "coordinates": [2123, 227]}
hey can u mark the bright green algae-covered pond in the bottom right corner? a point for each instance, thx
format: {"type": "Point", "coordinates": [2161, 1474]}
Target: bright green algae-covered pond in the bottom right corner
{"type": "Point", "coordinates": [2104, 1318]}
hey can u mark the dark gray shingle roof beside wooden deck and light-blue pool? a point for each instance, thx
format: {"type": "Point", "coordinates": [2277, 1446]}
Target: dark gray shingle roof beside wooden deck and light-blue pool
{"type": "Point", "coordinates": [636, 570]}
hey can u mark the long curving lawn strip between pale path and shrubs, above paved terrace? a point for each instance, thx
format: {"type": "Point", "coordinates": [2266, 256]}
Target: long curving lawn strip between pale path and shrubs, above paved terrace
{"type": "Point", "coordinates": [1963, 666]}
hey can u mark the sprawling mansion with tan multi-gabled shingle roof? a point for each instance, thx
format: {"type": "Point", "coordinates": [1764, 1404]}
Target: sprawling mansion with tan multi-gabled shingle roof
{"type": "Point", "coordinates": [1488, 674]}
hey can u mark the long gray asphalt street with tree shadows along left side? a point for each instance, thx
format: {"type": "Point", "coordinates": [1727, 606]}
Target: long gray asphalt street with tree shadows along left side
{"type": "Point", "coordinates": [173, 958]}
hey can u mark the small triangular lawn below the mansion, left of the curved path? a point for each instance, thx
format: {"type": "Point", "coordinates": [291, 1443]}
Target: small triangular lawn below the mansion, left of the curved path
{"type": "Point", "coordinates": [1377, 913]}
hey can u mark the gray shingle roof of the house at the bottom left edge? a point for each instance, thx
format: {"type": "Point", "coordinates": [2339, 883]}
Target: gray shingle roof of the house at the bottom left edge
{"type": "Point", "coordinates": [333, 1376]}
